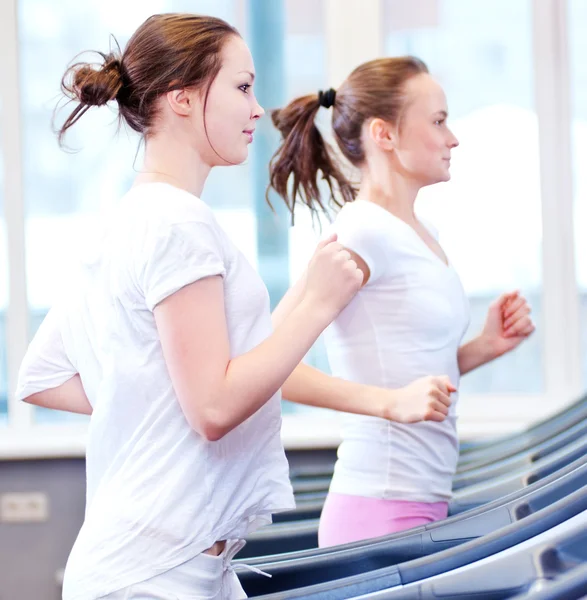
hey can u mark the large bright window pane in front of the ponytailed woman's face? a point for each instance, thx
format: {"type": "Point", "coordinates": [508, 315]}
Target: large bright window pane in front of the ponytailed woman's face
{"type": "Point", "coordinates": [489, 214]}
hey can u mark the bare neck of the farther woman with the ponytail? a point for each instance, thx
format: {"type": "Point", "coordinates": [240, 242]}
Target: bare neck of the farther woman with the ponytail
{"type": "Point", "coordinates": [390, 190]}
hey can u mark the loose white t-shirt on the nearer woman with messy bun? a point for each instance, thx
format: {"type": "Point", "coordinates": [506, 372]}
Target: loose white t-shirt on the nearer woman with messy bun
{"type": "Point", "coordinates": [158, 493]}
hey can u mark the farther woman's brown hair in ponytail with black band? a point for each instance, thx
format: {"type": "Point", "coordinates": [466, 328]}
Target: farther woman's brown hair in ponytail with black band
{"type": "Point", "coordinates": [375, 89]}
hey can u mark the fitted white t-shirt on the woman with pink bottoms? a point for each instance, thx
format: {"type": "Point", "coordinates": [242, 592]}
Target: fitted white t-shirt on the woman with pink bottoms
{"type": "Point", "coordinates": [407, 322]}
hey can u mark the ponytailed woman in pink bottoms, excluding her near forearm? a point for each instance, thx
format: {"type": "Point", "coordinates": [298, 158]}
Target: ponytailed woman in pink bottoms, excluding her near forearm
{"type": "Point", "coordinates": [389, 121]}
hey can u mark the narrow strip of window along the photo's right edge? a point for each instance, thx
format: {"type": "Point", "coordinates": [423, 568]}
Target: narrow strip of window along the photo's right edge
{"type": "Point", "coordinates": [577, 47]}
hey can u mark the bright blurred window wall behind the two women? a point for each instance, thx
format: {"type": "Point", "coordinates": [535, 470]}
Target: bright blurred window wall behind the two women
{"type": "Point", "coordinates": [512, 217]}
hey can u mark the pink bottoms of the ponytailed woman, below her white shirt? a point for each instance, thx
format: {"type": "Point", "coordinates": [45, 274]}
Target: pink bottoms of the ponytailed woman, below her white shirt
{"type": "Point", "coordinates": [348, 518]}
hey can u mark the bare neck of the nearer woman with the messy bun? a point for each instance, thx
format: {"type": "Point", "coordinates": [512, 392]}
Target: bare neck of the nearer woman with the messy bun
{"type": "Point", "coordinates": [169, 160]}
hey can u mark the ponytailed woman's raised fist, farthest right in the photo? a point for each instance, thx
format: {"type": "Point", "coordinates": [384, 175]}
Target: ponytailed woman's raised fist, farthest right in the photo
{"type": "Point", "coordinates": [508, 323]}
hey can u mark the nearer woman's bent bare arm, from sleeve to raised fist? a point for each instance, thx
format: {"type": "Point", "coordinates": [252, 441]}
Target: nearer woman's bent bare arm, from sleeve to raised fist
{"type": "Point", "coordinates": [218, 393]}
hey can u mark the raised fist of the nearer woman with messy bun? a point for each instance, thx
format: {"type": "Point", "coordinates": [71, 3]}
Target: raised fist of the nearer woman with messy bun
{"type": "Point", "coordinates": [333, 278]}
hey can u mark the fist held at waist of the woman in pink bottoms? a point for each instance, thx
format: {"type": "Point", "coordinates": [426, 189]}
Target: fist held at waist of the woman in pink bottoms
{"type": "Point", "coordinates": [425, 399]}
